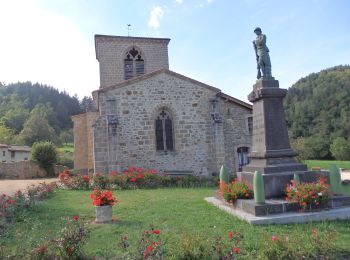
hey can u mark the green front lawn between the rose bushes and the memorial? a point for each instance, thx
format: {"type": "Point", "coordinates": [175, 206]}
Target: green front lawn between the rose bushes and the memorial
{"type": "Point", "coordinates": [173, 211]}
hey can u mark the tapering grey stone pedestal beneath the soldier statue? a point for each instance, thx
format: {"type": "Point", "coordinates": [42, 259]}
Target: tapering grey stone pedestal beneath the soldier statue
{"type": "Point", "coordinates": [271, 153]}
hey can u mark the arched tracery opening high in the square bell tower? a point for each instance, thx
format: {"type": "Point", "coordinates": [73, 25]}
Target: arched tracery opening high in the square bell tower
{"type": "Point", "coordinates": [134, 65]}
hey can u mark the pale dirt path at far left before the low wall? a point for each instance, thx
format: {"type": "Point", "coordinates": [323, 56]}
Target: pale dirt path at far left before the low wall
{"type": "Point", "coordinates": [9, 187]}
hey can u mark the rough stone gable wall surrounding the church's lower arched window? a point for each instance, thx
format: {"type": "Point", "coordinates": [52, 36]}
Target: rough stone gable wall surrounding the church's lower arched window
{"type": "Point", "coordinates": [137, 107]}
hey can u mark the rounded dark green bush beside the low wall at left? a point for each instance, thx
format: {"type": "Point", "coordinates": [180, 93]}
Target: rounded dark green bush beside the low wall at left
{"type": "Point", "coordinates": [45, 154]}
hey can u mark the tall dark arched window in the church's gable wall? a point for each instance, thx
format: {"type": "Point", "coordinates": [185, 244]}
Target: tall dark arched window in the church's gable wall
{"type": "Point", "coordinates": [164, 132]}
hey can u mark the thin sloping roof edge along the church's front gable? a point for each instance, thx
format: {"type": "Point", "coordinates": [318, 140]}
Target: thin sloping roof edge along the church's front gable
{"type": "Point", "coordinates": [172, 73]}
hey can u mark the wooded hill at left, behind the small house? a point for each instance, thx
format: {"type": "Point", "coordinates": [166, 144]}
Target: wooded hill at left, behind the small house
{"type": "Point", "coordinates": [27, 105]}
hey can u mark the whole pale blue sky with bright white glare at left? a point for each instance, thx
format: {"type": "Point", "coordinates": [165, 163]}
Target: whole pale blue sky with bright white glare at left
{"type": "Point", "coordinates": [51, 41]}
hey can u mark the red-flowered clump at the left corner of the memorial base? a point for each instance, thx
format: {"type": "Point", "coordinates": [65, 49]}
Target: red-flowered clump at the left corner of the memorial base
{"type": "Point", "coordinates": [237, 190]}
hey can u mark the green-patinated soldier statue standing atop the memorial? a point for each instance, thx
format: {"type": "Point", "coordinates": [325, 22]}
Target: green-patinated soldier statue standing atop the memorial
{"type": "Point", "coordinates": [262, 54]}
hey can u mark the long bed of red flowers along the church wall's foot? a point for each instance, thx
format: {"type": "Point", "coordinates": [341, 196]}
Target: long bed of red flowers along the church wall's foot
{"type": "Point", "coordinates": [133, 178]}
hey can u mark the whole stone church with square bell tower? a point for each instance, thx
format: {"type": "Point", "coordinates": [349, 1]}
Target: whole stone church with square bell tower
{"type": "Point", "coordinates": [149, 116]}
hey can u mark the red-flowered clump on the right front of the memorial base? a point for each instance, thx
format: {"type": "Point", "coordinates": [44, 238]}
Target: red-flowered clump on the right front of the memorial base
{"type": "Point", "coordinates": [309, 195]}
